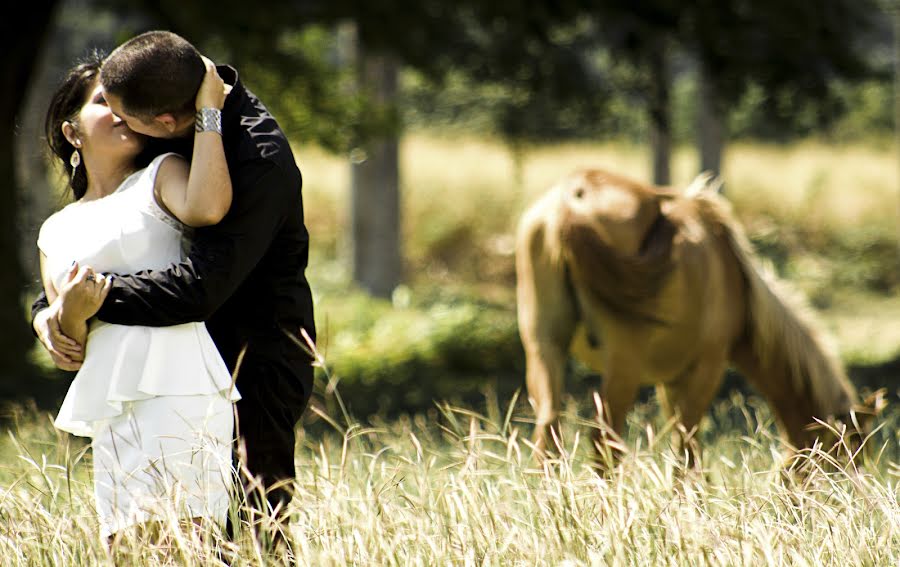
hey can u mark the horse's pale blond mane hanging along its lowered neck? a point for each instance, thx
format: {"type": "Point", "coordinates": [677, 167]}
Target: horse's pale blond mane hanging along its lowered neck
{"type": "Point", "coordinates": [785, 349]}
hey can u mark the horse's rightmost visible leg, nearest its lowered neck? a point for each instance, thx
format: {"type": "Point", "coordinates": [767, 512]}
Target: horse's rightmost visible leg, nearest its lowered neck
{"type": "Point", "coordinates": [688, 397]}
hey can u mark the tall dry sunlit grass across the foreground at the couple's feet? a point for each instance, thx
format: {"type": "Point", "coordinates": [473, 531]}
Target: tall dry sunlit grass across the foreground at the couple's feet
{"type": "Point", "coordinates": [455, 486]}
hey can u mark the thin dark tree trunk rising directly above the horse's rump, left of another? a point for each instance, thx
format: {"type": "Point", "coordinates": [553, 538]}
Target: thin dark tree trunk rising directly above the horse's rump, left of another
{"type": "Point", "coordinates": [660, 119]}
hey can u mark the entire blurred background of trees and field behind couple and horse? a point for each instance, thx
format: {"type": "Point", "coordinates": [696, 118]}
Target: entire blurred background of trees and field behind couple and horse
{"type": "Point", "coordinates": [424, 128]}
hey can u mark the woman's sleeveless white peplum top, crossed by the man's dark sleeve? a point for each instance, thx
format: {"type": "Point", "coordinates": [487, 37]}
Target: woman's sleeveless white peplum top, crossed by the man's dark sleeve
{"type": "Point", "coordinates": [123, 233]}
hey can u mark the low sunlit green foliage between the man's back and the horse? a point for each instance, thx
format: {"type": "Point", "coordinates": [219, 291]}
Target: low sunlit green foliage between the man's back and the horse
{"type": "Point", "coordinates": [388, 359]}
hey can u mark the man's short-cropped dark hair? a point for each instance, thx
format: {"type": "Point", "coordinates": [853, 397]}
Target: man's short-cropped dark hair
{"type": "Point", "coordinates": [154, 73]}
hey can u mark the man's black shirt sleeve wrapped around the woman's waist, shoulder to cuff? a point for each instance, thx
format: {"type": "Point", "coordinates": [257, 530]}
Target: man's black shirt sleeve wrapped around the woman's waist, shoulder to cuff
{"type": "Point", "coordinates": [220, 259]}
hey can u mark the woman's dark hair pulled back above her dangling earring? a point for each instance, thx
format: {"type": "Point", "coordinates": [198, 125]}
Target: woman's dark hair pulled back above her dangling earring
{"type": "Point", "coordinates": [67, 101]}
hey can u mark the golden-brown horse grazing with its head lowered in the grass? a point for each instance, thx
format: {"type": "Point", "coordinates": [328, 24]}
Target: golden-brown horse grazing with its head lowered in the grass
{"type": "Point", "coordinates": [651, 286]}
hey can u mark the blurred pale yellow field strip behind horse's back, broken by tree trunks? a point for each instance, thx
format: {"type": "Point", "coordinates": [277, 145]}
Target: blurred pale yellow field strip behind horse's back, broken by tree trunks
{"type": "Point", "coordinates": [449, 181]}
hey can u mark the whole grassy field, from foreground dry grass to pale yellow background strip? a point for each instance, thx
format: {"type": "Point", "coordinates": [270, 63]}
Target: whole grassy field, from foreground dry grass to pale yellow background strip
{"type": "Point", "coordinates": [457, 484]}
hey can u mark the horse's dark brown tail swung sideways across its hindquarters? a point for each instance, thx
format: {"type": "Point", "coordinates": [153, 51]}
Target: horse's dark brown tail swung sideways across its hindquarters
{"type": "Point", "coordinates": [622, 283]}
